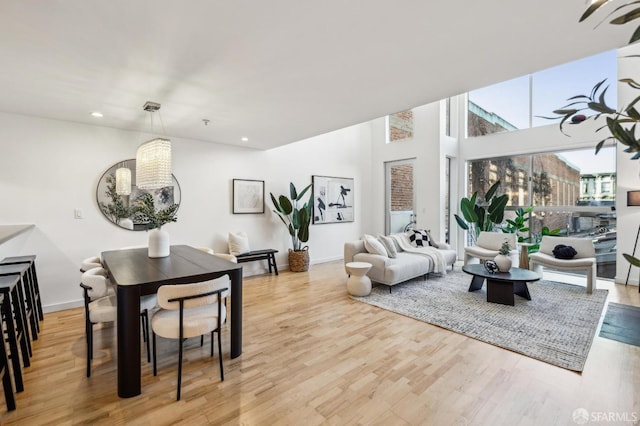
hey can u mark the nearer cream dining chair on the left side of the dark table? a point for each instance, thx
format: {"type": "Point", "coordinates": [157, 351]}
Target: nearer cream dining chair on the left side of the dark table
{"type": "Point", "coordinates": [99, 305]}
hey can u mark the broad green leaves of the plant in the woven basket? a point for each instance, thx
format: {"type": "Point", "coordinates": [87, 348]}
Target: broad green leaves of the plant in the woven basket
{"type": "Point", "coordinates": [295, 217]}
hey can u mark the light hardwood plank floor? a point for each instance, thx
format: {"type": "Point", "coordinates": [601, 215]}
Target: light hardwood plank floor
{"type": "Point", "coordinates": [314, 356]}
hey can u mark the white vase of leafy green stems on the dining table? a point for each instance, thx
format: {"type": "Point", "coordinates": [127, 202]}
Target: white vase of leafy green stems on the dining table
{"type": "Point", "coordinates": [145, 212]}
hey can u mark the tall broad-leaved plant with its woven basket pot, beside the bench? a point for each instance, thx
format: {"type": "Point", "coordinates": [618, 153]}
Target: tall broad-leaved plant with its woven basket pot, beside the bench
{"type": "Point", "coordinates": [297, 220]}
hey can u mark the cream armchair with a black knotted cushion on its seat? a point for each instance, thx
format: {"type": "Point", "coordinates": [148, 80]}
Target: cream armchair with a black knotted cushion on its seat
{"type": "Point", "coordinates": [585, 260]}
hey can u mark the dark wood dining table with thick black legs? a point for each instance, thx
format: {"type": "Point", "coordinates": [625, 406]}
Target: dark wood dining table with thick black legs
{"type": "Point", "coordinates": [135, 274]}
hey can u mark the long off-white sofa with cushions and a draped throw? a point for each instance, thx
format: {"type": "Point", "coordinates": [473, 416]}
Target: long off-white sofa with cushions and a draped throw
{"type": "Point", "coordinates": [392, 271]}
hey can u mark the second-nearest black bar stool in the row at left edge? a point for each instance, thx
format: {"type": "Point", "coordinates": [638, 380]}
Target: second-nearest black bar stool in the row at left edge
{"type": "Point", "coordinates": [15, 326]}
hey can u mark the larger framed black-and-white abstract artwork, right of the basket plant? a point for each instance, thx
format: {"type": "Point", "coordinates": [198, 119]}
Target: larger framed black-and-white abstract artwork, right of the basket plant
{"type": "Point", "coordinates": [332, 199]}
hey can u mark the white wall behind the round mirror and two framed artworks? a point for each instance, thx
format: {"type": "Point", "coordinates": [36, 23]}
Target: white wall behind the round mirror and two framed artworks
{"type": "Point", "coordinates": [48, 168]}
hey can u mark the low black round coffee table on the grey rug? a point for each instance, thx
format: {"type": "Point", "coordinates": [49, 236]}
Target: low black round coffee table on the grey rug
{"type": "Point", "coordinates": [501, 286]}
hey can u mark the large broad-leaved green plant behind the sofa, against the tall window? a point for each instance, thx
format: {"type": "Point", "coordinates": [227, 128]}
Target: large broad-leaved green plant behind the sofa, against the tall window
{"type": "Point", "coordinates": [479, 215]}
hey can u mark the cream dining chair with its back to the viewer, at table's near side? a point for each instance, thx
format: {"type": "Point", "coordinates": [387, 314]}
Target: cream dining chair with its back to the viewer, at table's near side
{"type": "Point", "coordinates": [188, 310]}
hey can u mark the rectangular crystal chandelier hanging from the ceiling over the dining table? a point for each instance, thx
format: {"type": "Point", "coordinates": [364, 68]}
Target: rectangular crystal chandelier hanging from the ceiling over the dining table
{"type": "Point", "coordinates": [153, 158]}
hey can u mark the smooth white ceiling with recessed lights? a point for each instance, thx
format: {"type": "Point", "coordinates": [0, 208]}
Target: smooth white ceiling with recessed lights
{"type": "Point", "coordinates": [274, 71]}
